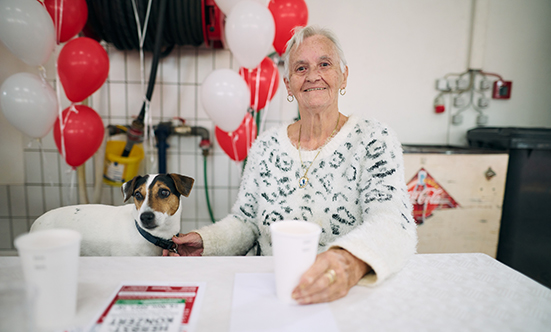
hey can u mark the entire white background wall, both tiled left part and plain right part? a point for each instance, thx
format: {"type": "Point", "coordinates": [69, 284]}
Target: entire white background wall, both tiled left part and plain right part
{"type": "Point", "coordinates": [396, 49]}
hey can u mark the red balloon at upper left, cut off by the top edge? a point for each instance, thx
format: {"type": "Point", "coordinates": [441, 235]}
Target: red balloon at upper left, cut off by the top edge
{"type": "Point", "coordinates": [69, 17]}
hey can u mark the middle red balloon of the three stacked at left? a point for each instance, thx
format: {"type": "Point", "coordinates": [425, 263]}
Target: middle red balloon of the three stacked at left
{"type": "Point", "coordinates": [83, 66]}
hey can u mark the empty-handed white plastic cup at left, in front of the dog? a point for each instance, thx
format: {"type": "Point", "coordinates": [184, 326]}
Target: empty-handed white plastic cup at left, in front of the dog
{"type": "Point", "coordinates": [50, 265]}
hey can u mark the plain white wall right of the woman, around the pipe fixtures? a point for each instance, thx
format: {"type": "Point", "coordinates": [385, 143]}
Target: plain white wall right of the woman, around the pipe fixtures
{"type": "Point", "coordinates": [397, 49]}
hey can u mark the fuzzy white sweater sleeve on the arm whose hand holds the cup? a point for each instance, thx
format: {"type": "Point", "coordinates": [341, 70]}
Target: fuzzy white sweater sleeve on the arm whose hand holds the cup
{"type": "Point", "coordinates": [387, 237]}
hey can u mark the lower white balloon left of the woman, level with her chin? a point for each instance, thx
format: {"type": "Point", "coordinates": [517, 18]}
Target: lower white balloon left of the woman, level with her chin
{"type": "Point", "coordinates": [225, 97]}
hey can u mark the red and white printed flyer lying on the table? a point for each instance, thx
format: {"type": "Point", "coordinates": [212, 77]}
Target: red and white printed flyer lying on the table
{"type": "Point", "coordinates": [151, 307]}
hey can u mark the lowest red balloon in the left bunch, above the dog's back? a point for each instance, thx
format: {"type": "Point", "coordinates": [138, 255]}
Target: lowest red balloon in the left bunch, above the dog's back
{"type": "Point", "coordinates": [82, 134]}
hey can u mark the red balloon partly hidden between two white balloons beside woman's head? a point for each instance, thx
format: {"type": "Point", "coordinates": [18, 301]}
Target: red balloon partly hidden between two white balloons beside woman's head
{"type": "Point", "coordinates": [266, 77]}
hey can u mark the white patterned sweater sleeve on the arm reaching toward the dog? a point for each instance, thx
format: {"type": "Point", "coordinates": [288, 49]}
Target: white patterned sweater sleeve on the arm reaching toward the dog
{"type": "Point", "coordinates": [236, 233]}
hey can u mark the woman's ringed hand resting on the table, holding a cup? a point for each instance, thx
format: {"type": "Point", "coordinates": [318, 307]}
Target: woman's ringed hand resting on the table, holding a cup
{"type": "Point", "coordinates": [320, 284]}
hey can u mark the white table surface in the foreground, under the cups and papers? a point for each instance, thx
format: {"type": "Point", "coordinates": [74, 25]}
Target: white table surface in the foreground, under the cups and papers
{"type": "Point", "coordinates": [437, 292]}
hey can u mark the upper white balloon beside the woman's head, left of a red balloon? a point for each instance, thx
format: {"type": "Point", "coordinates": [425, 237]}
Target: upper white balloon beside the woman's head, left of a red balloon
{"type": "Point", "coordinates": [250, 32]}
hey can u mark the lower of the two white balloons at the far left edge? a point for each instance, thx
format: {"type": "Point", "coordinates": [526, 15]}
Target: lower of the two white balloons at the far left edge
{"type": "Point", "coordinates": [29, 104]}
